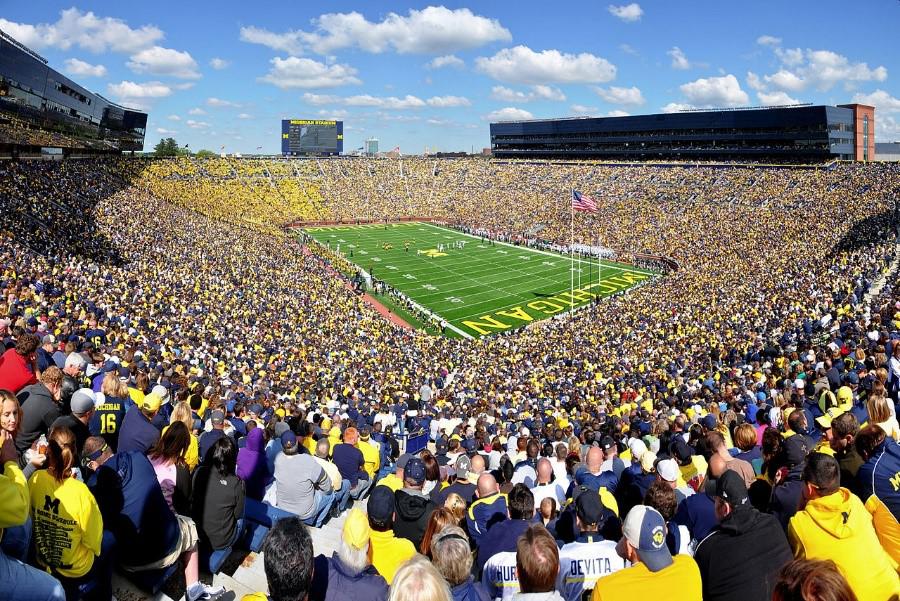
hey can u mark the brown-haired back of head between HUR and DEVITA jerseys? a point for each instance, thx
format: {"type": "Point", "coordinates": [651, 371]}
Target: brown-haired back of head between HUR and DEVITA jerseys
{"type": "Point", "coordinates": [537, 564]}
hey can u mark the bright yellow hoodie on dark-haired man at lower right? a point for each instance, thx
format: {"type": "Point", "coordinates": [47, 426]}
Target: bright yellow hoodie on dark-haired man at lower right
{"type": "Point", "coordinates": [838, 527]}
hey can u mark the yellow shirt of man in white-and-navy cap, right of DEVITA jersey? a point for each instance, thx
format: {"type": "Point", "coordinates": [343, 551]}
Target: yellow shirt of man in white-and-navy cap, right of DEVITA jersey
{"type": "Point", "coordinates": [678, 582]}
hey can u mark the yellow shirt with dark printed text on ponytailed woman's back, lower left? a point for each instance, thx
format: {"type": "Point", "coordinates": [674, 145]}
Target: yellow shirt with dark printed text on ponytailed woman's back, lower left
{"type": "Point", "coordinates": [68, 527]}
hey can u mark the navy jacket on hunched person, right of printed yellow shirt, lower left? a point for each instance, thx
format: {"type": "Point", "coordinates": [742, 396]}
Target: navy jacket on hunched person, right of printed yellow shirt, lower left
{"type": "Point", "coordinates": [134, 509]}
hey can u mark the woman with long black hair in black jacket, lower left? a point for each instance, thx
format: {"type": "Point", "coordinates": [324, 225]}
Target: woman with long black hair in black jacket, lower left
{"type": "Point", "coordinates": [218, 497]}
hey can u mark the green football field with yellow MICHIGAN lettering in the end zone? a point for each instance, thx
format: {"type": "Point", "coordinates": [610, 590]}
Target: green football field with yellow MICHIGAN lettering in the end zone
{"type": "Point", "coordinates": [478, 288]}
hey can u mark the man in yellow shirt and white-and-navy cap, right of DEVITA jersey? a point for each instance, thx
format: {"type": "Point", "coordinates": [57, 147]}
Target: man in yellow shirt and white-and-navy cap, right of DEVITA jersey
{"type": "Point", "coordinates": [654, 574]}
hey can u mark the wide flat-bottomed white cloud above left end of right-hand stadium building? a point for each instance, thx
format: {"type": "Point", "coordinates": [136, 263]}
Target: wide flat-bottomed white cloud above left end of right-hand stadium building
{"type": "Point", "coordinates": [523, 65]}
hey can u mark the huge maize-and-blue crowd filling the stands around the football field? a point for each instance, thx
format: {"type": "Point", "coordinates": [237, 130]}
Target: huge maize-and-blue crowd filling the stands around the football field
{"type": "Point", "coordinates": [188, 387]}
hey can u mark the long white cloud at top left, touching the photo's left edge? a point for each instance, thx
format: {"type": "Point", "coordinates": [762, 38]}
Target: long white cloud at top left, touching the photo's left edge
{"type": "Point", "coordinates": [84, 30]}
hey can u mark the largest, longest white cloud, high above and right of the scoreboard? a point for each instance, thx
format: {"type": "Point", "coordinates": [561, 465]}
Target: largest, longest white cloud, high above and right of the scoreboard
{"type": "Point", "coordinates": [432, 30]}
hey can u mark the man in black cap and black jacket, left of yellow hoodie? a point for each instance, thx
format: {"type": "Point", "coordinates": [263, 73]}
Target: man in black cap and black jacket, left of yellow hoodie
{"type": "Point", "coordinates": [741, 557]}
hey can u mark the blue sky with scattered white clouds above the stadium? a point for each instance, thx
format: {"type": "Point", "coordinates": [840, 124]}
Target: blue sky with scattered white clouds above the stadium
{"type": "Point", "coordinates": [435, 75]}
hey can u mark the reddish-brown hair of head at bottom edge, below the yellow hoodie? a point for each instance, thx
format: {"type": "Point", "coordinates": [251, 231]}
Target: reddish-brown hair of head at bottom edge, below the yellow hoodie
{"type": "Point", "coordinates": [809, 580]}
